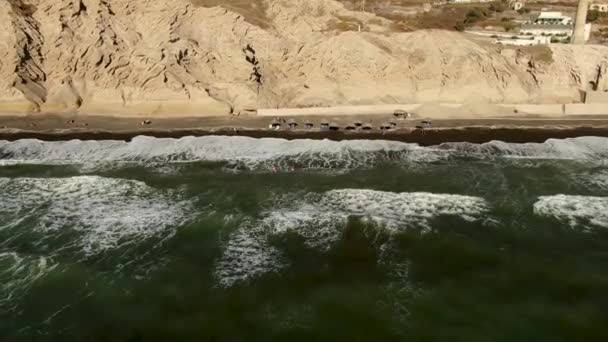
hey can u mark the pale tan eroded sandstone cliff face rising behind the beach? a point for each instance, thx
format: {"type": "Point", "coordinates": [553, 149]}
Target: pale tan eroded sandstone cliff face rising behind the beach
{"type": "Point", "coordinates": [133, 57]}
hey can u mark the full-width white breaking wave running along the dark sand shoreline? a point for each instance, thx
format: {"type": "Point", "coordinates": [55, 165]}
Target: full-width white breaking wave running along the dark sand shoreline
{"type": "Point", "coordinates": [283, 154]}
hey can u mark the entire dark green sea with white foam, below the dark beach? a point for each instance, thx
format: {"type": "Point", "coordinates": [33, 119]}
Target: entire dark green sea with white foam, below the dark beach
{"type": "Point", "coordinates": [237, 239]}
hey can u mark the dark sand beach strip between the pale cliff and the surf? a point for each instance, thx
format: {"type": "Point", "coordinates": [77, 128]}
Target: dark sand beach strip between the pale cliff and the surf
{"type": "Point", "coordinates": [57, 128]}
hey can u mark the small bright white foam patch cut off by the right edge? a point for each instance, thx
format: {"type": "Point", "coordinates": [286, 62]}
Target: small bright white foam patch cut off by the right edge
{"type": "Point", "coordinates": [583, 212]}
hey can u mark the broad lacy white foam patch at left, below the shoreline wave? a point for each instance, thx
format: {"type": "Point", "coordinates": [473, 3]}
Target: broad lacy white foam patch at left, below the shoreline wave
{"type": "Point", "coordinates": [104, 213]}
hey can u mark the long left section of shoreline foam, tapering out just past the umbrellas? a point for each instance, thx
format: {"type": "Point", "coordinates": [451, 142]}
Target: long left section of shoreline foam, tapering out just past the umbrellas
{"type": "Point", "coordinates": [248, 152]}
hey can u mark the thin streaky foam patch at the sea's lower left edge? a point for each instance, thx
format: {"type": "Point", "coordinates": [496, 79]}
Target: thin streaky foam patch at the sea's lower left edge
{"type": "Point", "coordinates": [18, 273]}
